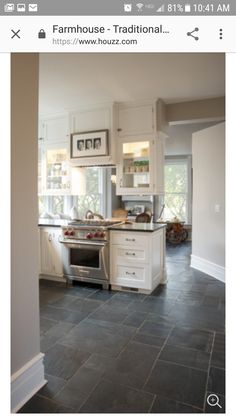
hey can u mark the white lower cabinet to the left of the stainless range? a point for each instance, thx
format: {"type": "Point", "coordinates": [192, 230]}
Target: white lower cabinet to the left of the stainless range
{"type": "Point", "coordinates": [50, 253]}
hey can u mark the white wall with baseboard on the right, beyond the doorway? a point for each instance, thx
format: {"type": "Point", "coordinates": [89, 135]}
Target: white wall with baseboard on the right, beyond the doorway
{"type": "Point", "coordinates": [208, 236]}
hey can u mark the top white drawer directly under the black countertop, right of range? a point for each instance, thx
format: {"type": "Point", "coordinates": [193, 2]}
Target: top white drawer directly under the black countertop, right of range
{"type": "Point", "coordinates": [132, 240]}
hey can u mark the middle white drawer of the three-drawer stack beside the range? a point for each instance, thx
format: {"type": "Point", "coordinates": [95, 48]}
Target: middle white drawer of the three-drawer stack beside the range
{"type": "Point", "coordinates": [129, 255]}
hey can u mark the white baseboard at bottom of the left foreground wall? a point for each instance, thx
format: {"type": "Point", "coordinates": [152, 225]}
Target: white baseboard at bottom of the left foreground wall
{"type": "Point", "coordinates": [26, 382]}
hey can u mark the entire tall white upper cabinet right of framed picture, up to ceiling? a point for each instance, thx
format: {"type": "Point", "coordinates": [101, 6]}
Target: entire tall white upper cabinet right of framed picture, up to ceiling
{"type": "Point", "coordinates": [140, 148]}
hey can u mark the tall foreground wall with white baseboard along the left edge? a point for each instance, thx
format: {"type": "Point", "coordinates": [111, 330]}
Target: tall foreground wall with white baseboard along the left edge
{"type": "Point", "coordinates": [25, 337]}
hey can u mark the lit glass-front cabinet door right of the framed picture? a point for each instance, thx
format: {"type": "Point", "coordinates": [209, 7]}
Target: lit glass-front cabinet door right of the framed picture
{"type": "Point", "coordinates": [135, 168]}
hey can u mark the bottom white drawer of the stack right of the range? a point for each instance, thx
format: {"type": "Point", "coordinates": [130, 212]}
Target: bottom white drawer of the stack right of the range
{"type": "Point", "coordinates": [131, 276]}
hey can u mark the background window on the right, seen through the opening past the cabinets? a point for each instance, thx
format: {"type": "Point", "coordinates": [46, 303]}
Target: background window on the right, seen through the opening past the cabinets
{"type": "Point", "coordinates": [178, 188]}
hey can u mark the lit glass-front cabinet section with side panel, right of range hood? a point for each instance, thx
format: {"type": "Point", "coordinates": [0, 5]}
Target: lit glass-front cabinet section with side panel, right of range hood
{"type": "Point", "coordinates": [140, 168]}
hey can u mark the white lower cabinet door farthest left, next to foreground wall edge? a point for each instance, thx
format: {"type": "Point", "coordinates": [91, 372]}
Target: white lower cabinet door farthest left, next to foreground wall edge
{"type": "Point", "coordinates": [46, 252]}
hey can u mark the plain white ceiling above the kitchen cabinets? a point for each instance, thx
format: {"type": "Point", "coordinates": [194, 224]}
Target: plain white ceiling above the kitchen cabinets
{"type": "Point", "coordinates": [69, 81]}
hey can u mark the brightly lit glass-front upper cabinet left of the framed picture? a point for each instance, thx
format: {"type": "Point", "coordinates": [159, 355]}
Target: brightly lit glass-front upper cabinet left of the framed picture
{"type": "Point", "coordinates": [55, 169]}
